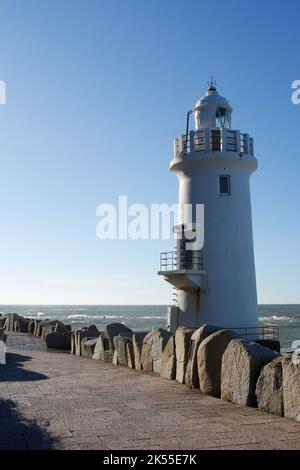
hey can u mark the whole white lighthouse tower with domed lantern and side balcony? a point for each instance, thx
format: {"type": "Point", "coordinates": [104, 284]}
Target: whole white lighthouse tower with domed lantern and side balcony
{"type": "Point", "coordinates": [213, 163]}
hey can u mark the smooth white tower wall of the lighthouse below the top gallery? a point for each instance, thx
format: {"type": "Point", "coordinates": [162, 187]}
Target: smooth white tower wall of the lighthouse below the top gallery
{"type": "Point", "coordinates": [231, 299]}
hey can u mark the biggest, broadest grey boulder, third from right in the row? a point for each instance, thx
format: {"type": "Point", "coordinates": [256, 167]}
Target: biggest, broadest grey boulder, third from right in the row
{"type": "Point", "coordinates": [241, 365]}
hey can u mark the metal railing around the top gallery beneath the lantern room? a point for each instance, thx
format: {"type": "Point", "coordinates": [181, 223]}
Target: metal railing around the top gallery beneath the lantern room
{"type": "Point", "coordinates": [214, 140]}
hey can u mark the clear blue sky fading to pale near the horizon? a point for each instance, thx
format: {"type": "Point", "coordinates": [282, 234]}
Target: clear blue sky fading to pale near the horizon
{"type": "Point", "coordinates": [96, 92]}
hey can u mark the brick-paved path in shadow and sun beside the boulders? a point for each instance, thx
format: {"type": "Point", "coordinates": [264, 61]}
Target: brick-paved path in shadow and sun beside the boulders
{"type": "Point", "coordinates": [53, 400]}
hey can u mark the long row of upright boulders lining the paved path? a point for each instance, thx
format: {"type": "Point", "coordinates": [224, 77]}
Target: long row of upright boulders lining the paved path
{"type": "Point", "coordinates": [216, 361]}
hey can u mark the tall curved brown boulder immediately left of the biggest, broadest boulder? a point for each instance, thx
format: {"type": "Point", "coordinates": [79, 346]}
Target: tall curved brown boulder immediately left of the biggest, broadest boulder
{"type": "Point", "coordinates": [209, 360]}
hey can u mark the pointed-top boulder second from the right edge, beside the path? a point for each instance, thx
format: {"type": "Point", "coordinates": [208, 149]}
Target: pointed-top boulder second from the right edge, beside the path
{"type": "Point", "coordinates": [269, 389]}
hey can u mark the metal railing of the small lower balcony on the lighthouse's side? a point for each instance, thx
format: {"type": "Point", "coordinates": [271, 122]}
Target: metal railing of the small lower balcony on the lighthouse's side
{"type": "Point", "coordinates": [181, 259]}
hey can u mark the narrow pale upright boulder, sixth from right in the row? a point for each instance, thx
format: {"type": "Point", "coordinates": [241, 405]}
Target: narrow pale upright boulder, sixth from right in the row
{"type": "Point", "coordinates": [182, 343]}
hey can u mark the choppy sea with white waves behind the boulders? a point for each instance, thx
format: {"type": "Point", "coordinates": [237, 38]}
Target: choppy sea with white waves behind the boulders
{"type": "Point", "coordinates": [145, 317]}
